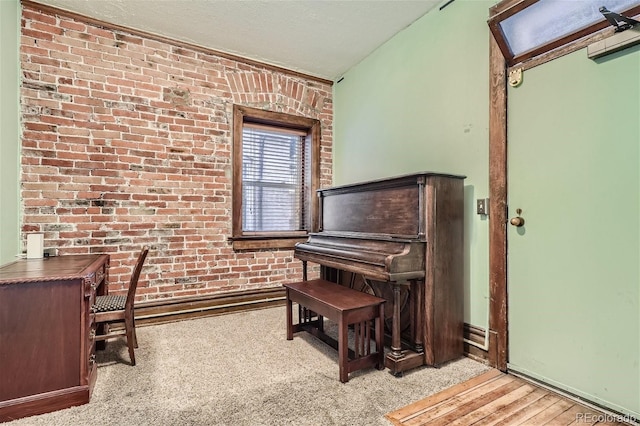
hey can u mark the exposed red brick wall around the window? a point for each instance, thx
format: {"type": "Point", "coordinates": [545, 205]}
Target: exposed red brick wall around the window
{"type": "Point", "coordinates": [127, 141]}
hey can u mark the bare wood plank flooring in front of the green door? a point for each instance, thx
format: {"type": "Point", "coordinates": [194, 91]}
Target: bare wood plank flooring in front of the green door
{"type": "Point", "coordinates": [497, 399]}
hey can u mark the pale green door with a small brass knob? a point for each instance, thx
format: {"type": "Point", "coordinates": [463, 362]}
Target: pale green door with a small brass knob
{"type": "Point", "coordinates": [574, 267]}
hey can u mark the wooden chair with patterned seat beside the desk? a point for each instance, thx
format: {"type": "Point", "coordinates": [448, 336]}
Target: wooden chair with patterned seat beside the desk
{"type": "Point", "coordinates": [117, 308]}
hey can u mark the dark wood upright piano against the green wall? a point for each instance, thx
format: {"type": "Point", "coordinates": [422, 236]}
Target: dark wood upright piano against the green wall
{"type": "Point", "coordinates": [401, 239]}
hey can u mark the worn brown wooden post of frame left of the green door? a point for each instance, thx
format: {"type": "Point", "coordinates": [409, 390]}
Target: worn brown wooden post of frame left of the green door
{"type": "Point", "coordinates": [498, 333]}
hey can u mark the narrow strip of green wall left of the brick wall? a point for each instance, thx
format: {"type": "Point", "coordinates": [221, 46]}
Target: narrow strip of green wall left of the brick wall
{"type": "Point", "coordinates": [9, 131]}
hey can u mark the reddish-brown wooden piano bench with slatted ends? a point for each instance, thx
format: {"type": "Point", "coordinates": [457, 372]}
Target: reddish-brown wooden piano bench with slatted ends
{"type": "Point", "coordinates": [344, 306]}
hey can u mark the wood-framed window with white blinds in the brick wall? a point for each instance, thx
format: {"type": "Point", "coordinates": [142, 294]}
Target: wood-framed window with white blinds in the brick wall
{"type": "Point", "coordinates": [276, 161]}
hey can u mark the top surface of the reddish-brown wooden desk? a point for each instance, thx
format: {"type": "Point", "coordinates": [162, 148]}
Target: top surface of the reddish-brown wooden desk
{"type": "Point", "coordinates": [57, 267]}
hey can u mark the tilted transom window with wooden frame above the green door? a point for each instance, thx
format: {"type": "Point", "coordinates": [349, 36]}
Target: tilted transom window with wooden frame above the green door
{"type": "Point", "coordinates": [525, 29]}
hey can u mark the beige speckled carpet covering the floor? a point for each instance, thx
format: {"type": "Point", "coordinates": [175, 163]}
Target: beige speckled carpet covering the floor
{"type": "Point", "coordinates": [239, 369]}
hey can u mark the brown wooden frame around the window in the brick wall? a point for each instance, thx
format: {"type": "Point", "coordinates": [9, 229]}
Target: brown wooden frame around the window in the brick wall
{"type": "Point", "coordinates": [271, 239]}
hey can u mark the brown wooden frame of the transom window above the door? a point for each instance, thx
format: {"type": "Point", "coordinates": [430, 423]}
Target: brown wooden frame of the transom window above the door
{"type": "Point", "coordinates": [553, 49]}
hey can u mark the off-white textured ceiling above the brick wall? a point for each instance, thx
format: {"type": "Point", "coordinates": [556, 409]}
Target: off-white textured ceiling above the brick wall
{"type": "Point", "coordinates": [323, 38]}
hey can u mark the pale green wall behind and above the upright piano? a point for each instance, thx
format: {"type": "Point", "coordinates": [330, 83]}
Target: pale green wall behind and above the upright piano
{"type": "Point", "coordinates": [418, 103]}
